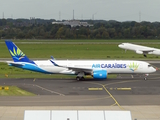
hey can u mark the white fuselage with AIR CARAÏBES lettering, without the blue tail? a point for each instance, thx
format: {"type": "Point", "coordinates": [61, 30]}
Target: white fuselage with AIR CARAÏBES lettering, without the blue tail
{"type": "Point", "coordinates": [111, 66]}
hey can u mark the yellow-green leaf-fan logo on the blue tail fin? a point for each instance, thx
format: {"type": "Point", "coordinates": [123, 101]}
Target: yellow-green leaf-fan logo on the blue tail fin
{"type": "Point", "coordinates": [17, 54]}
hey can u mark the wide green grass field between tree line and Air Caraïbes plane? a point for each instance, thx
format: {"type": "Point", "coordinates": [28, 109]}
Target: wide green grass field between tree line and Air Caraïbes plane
{"type": "Point", "coordinates": [91, 50]}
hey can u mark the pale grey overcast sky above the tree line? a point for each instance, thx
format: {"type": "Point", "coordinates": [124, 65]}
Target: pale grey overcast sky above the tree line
{"type": "Point", "coordinates": [120, 10]}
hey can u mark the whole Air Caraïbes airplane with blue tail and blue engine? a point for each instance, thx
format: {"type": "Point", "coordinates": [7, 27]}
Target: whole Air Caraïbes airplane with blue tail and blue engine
{"type": "Point", "coordinates": [98, 69]}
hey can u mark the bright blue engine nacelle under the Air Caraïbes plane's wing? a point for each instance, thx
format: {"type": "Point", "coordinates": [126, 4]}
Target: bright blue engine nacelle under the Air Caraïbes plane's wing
{"type": "Point", "coordinates": [100, 74]}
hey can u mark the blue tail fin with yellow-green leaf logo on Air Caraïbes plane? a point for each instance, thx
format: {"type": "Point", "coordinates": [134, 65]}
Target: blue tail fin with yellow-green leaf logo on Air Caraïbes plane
{"type": "Point", "coordinates": [16, 53]}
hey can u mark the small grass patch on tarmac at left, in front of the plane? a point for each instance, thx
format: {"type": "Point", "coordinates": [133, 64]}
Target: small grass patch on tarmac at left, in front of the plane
{"type": "Point", "coordinates": [15, 91]}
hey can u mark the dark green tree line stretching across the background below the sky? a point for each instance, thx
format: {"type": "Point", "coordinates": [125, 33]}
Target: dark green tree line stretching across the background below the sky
{"type": "Point", "coordinates": [44, 29]}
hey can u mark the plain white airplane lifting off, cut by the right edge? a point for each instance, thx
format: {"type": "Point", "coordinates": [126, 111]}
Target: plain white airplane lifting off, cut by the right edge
{"type": "Point", "coordinates": [139, 49]}
